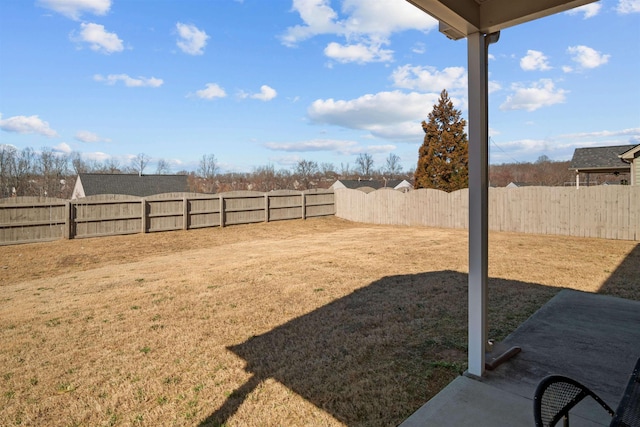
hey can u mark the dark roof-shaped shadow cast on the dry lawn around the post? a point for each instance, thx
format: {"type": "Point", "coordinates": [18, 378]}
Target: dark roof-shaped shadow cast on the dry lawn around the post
{"type": "Point", "coordinates": [376, 355]}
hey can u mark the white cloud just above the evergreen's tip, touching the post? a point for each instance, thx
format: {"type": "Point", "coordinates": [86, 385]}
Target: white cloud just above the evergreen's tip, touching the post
{"type": "Point", "coordinates": [429, 78]}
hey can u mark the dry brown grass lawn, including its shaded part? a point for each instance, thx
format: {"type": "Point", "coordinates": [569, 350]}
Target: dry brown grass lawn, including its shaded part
{"type": "Point", "coordinates": [317, 322]}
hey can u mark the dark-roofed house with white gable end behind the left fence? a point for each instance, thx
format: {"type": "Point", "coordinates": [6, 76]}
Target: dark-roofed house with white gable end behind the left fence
{"type": "Point", "coordinates": [91, 184]}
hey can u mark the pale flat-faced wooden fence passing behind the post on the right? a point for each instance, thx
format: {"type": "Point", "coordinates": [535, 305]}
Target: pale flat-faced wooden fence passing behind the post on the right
{"type": "Point", "coordinates": [611, 212]}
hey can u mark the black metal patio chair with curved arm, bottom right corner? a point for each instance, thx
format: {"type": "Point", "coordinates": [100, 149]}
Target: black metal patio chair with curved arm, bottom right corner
{"type": "Point", "coordinates": [556, 395]}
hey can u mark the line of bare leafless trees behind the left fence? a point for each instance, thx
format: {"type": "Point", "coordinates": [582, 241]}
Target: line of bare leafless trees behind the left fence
{"type": "Point", "coordinates": [48, 173]}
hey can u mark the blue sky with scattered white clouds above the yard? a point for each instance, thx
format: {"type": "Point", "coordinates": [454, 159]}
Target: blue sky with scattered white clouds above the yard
{"type": "Point", "coordinates": [259, 82]}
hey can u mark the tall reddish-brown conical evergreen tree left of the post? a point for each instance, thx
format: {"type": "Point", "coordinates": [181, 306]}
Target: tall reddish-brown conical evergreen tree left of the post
{"type": "Point", "coordinates": [443, 158]}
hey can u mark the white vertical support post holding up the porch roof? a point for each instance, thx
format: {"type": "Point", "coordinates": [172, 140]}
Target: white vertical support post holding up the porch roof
{"type": "Point", "coordinates": [478, 201]}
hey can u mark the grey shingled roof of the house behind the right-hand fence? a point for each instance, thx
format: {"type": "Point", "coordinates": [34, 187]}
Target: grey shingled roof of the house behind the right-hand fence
{"type": "Point", "coordinates": [600, 159]}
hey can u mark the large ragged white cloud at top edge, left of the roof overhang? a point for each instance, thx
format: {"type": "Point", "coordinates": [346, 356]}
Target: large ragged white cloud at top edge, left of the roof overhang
{"type": "Point", "coordinates": [365, 26]}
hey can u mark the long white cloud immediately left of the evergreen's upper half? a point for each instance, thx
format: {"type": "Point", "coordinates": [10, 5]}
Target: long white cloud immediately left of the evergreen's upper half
{"type": "Point", "coordinates": [395, 115]}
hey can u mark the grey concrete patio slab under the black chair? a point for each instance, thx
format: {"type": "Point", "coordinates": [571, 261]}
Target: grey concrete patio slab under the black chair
{"type": "Point", "coordinates": [592, 338]}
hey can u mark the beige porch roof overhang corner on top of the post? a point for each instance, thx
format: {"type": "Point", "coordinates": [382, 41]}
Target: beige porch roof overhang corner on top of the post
{"type": "Point", "coordinates": [459, 18]}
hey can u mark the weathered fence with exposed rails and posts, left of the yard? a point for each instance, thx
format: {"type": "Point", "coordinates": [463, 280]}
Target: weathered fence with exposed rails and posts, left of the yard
{"type": "Point", "coordinates": [34, 219]}
